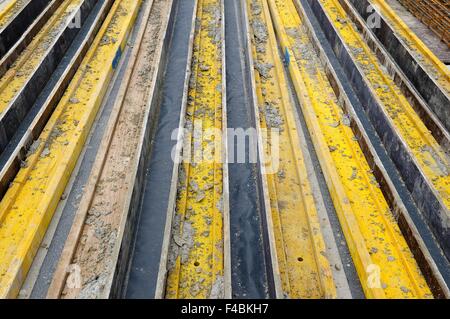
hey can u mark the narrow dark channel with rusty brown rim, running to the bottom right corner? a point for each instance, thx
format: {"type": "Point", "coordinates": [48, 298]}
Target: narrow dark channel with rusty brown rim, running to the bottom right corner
{"type": "Point", "coordinates": [414, 227]}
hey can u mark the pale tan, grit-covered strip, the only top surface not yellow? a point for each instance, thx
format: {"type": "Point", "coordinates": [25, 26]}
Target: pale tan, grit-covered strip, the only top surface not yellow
{"type": "Point", "coordinates": [99, 237]}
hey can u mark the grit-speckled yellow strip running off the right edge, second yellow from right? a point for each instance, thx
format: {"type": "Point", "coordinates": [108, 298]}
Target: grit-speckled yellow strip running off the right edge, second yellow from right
{"type": "Point", "coordinates": [427, 152]}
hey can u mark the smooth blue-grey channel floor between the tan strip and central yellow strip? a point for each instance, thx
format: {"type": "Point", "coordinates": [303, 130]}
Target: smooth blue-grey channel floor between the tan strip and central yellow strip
{"type": "Point", "coordinates": [157, 174]}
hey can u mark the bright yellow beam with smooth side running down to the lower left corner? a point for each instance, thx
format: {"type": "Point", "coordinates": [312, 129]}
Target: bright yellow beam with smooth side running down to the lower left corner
{"type": "Point", "coordinates": [30, 202]}
